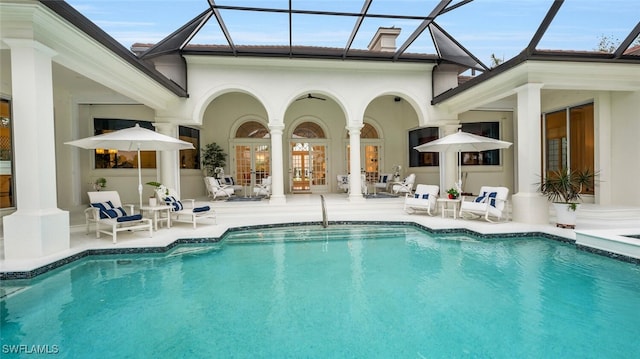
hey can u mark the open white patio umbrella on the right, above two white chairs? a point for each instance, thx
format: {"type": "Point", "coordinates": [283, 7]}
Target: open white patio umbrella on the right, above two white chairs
{"type": "Point", "coordinates": [462, 142]}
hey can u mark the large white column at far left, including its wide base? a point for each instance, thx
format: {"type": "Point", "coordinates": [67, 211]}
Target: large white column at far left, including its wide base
{"type": "Point", "coordinates": [37, 228]}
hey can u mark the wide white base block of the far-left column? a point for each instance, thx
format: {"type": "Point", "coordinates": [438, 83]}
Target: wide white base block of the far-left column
{"type": "Point", "coordinates": [35, 234]}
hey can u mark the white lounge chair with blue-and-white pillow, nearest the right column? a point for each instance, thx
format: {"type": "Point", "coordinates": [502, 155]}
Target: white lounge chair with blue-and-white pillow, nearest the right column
{"type": "Point", "coordinates": [491, 203]}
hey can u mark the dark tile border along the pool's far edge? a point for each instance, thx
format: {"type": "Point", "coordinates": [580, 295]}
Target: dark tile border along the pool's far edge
{"type": "Point", "coordinates": [163, 249]}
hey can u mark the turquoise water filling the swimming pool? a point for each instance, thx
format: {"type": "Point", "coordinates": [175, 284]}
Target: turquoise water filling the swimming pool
{"type": "Point", "coordinates": [352, 291]}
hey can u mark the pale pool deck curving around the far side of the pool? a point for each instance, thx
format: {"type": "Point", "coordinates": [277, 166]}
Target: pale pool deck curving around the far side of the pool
{"type": "Point", "coordinates": [605, 236]}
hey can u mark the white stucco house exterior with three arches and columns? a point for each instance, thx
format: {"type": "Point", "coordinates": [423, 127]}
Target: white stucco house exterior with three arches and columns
{"type": "Point", "coordinates": [45, 62]}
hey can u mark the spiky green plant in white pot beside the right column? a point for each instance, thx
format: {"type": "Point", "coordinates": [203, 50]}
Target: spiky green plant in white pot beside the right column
{"type": "Point", "coordinates": [564, 188]}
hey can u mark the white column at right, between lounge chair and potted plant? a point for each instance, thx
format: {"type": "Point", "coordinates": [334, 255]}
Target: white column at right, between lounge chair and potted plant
{"type": "Point", "coordinates": [528, 205]}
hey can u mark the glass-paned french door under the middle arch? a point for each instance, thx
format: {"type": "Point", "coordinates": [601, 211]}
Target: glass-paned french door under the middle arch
{"type": "Point", "coordinates": [308, 167]}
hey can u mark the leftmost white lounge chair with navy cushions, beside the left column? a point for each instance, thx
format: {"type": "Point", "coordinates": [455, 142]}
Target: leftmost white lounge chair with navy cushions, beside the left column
{"type": "Point", "coordinates": [109, 216]}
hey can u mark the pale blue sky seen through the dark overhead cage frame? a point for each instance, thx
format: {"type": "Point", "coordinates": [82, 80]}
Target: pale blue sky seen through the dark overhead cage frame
{"type": "Point", "coordinates": [484, 27]}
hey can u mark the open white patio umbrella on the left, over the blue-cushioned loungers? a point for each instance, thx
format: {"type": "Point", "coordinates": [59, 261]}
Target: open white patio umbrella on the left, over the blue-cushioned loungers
{"type": "Point", "coordinates": [133, 139]}
